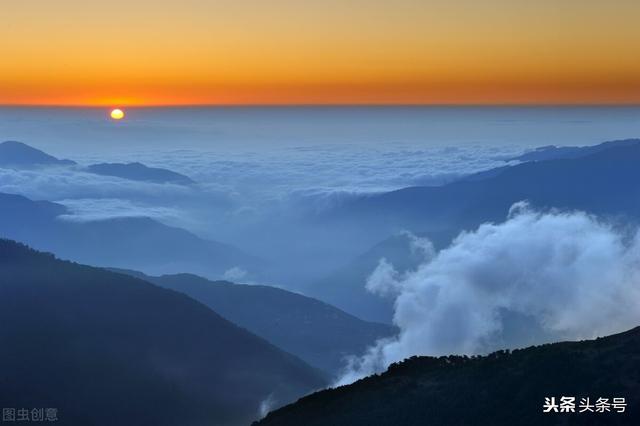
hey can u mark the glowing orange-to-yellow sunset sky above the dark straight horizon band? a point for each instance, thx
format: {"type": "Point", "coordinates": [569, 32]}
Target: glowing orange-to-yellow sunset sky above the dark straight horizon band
{"type": "Point", "coordinates": [132, 52]}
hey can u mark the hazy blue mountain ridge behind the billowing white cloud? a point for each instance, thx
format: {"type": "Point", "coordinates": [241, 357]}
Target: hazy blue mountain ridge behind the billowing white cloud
{"type": "Point", "coordinates": [603, 183]}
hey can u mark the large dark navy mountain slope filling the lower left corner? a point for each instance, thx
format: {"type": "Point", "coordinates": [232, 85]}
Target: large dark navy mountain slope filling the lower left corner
{"type": "Point", "coordinates": [105, 349]}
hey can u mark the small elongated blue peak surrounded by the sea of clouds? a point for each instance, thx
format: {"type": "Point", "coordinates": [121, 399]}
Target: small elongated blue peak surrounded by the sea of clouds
{"type": "Point", "coordinates": [138, 171]}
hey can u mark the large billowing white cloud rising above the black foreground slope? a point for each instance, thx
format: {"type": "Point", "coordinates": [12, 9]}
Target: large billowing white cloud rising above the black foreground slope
{"type": "Point", "coordinates": [535, 278]}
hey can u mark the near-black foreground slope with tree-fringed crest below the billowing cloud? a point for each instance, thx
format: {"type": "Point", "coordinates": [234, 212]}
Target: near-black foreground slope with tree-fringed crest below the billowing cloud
{"type": "Point", "coordinates": [499, 389]}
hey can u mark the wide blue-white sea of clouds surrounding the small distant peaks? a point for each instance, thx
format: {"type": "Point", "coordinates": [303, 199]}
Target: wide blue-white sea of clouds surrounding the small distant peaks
{"type": "Point", "coordinates": [233, 185]}
